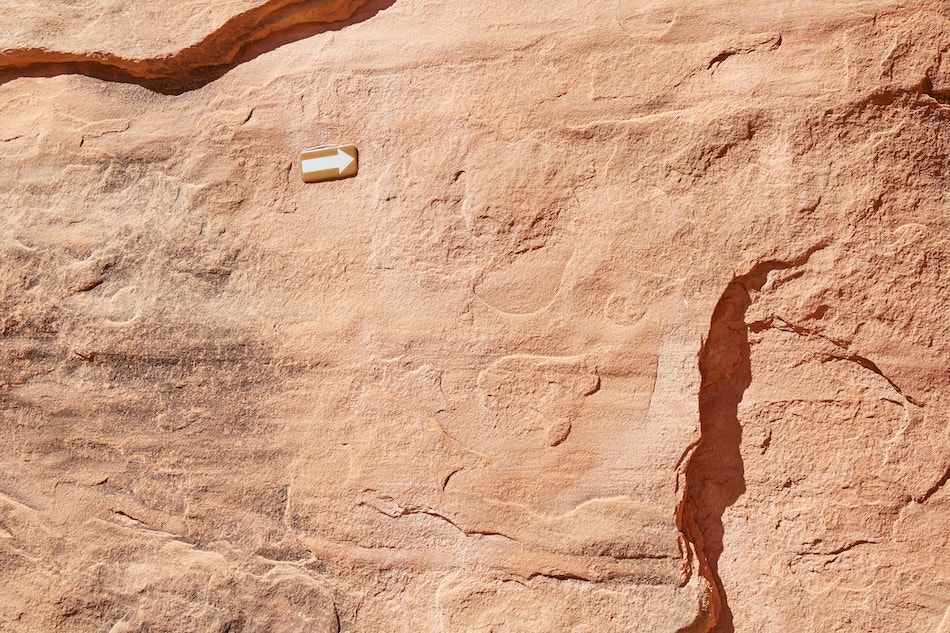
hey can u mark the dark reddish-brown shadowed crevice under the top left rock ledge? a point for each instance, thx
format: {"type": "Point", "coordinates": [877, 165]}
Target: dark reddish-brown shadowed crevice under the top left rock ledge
{"type": "Point", "coordinates": [239, 40]}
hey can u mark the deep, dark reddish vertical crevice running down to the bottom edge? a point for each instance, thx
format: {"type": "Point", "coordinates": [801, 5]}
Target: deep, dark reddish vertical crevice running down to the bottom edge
{"type": "Point", "coordinates": [714, 472]}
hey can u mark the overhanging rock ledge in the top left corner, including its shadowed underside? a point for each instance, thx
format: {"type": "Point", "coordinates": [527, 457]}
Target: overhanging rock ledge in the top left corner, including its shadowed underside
{"type": "Point", "coordinates": [166, 49]}
